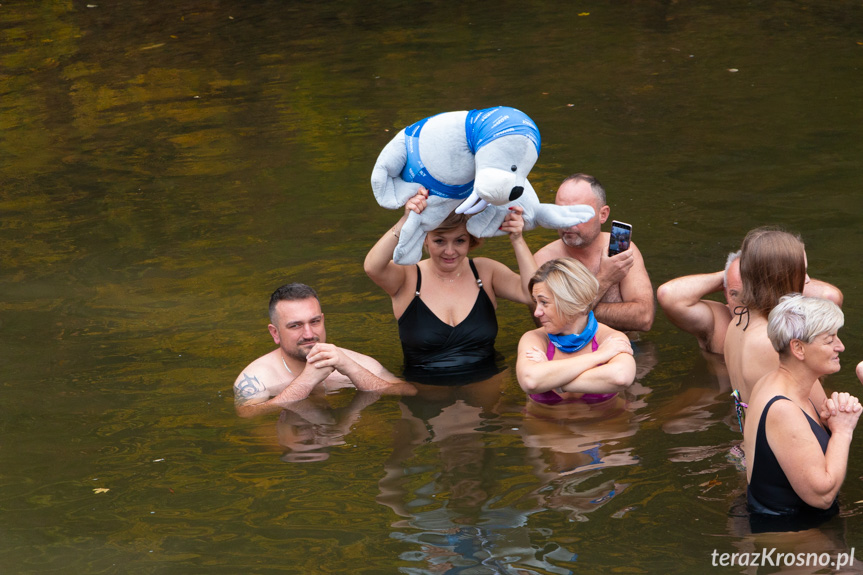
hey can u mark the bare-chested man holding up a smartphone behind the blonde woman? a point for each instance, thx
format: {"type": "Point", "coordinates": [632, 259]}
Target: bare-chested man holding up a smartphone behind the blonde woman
{"type": "Point", "coordinates": [625, 298]}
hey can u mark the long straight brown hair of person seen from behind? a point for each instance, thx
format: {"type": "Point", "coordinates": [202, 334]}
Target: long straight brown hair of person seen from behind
{"type": "Point", "coordinates": [772, 264]}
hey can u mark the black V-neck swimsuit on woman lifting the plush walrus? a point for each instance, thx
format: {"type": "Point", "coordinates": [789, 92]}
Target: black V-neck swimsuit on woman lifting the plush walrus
{"type": "Point", "coordinates": [433, 347]}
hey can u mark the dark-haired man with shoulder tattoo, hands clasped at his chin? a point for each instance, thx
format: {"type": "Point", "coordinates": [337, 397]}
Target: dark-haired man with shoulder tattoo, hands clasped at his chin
{"type": "Point", "coordinates": [304, 361]}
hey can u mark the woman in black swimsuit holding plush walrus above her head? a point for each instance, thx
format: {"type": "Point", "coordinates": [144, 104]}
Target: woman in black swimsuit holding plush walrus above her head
{"type": "Point", "coordinates": [445, 305]}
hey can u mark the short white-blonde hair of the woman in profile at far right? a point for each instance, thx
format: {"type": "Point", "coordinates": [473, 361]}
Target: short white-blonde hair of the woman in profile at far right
{"type": "Point", "coordinates": [805, 318]}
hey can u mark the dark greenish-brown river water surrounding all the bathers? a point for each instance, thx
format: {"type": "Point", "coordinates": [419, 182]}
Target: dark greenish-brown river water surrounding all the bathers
{"type": "Point", "coordinates": [165, 165]}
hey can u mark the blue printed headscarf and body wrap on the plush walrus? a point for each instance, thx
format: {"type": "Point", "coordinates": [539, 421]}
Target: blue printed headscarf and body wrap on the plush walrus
{"type": "Point", "coordinates": [481, 127]}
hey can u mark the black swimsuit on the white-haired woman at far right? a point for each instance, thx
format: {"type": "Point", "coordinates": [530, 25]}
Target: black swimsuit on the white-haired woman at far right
{"type": "Point", "coordinates": [769, 490]}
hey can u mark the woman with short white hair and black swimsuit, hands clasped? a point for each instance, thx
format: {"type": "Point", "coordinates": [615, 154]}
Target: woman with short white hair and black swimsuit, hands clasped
{"type": "Point", "coordinates": [796, 451]}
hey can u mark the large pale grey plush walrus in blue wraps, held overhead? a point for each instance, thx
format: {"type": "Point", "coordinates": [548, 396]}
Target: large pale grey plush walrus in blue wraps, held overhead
{"type": "Point", "coordinates": [472, 162]}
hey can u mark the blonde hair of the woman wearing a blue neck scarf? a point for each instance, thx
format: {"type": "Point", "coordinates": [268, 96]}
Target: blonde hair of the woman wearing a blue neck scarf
{"type": "Point", "coordinates": [573, 288]}
